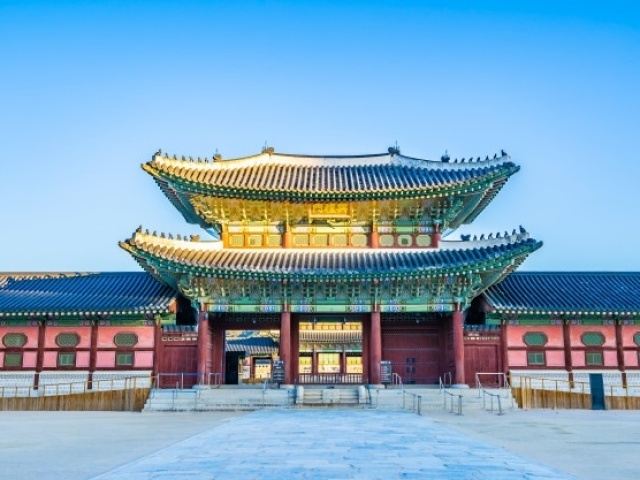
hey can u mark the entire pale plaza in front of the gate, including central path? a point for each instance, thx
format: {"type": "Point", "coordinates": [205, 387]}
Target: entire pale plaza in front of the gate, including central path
{"type": "Point", "coordinates": [319, 444]}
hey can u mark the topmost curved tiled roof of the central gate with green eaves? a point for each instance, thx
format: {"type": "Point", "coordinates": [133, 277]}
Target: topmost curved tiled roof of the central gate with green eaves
{"type": "Point", "coordinates": [304, 178]}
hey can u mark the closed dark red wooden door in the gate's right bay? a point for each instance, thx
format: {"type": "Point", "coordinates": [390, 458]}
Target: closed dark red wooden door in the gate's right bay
{"type": "Point", "coordinates": [414, 353]}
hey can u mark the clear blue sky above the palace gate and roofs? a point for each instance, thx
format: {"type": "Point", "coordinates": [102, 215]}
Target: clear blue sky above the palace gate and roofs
{"type": "Point", "coordinates": [89, 90]}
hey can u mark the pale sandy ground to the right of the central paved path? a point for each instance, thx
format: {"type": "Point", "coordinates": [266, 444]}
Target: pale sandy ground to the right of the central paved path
{"type": "Point", "coordinates": [591, 445]}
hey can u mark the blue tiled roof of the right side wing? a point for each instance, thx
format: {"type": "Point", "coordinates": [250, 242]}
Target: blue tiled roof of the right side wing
{"type": "Point", "coordinates": [564, 292]}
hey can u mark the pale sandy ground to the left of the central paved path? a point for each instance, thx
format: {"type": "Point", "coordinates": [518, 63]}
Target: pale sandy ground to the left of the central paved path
{"type": "Point", "coordinates": [80, 445]}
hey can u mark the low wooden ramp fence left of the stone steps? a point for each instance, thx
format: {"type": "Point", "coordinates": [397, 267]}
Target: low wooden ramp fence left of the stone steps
{"type": "Point", "coordinates": [118, 395]}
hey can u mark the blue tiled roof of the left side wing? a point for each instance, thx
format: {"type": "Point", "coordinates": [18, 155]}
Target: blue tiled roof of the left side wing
{"type": "Point", "coordinates": [59, 293]}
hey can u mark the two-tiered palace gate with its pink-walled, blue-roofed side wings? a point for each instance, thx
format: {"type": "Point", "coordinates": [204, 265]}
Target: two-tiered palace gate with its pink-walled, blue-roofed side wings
{"type": "Point", "coordinates": [336, 263]}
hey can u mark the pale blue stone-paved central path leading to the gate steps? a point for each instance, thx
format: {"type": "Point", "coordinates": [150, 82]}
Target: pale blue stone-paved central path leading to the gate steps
{"type": "Point", "coordinates": [331, 444]}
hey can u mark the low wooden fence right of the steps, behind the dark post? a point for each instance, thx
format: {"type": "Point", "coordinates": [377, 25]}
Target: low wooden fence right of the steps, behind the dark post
{"type": "Point", "coordinates": [533, 393]}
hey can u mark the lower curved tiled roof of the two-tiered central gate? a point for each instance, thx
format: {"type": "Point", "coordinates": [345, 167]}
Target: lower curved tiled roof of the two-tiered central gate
{"type": "Point", "coordinates": [157, 254]}
